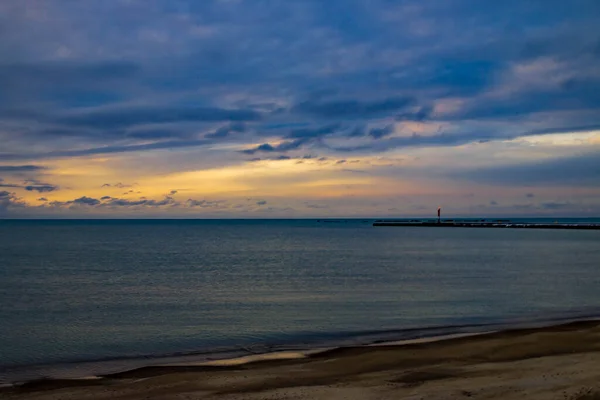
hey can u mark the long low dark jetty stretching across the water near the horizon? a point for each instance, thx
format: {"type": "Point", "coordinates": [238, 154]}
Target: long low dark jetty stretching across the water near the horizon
{"type": "Point", "coordinates": [482, 223]}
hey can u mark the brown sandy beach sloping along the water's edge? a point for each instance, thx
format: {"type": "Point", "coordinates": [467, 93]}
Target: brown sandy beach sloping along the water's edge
{"type": "Point", "coordinates": [560, 362]}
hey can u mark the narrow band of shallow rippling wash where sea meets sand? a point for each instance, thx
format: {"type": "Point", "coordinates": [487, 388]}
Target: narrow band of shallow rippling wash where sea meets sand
{"type": "Point", "coordinates": [66, 371]}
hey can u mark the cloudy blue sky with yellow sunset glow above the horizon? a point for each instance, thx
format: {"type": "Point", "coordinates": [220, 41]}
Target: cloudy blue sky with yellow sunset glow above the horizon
{"type": "Point", "coordinates": [299, 108]}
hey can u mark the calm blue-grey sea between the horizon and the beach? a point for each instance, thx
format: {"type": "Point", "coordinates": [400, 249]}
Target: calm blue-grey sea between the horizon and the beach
{"type": "Point", "coordinates": [85, 297]}
